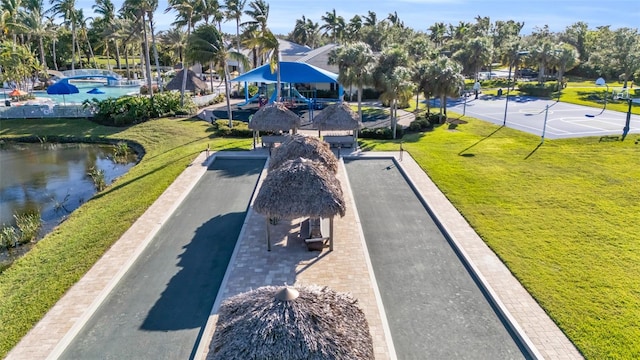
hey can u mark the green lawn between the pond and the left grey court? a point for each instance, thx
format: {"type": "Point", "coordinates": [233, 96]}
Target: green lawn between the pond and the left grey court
{"type": "Point", "coordinates": [36, 281]}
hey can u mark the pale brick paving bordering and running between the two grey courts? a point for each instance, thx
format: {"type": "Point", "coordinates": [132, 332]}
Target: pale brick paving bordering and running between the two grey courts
{"type": "Point", "coordinates": [347, 269]}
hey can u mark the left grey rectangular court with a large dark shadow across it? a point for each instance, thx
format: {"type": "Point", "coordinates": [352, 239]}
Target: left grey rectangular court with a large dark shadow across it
{"type": "Point", "coordinates": [160, 307]}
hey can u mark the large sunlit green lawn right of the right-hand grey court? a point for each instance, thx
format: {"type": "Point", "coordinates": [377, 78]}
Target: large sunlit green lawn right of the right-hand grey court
{"type": "Point", "coordinates": [563, 216]}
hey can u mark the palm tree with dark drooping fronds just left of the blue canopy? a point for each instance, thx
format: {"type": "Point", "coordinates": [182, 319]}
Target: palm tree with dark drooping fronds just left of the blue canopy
{"type": "Point", "coordinates": [206, 45]}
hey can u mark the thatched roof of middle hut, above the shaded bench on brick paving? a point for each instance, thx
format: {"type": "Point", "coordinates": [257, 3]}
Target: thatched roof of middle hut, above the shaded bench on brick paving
{"type": "Point", "coordinates": [300, 188]}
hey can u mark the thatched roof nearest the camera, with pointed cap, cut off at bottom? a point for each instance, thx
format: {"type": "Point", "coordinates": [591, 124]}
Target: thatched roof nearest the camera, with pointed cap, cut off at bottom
{"type": "Point", "coordinates": [318, 323]}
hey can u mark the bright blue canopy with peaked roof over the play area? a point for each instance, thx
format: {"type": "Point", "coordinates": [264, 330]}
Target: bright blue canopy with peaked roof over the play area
{"type": "Point", "coordinates": [290, 72]}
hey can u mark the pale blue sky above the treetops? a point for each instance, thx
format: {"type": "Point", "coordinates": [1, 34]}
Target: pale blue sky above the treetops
{"type": "Point", "coordinates": [420, 14]}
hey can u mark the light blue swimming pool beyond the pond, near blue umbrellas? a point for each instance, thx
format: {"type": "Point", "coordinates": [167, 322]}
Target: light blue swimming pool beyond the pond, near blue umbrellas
{"type": "Point", "coordinates": [84, 87]}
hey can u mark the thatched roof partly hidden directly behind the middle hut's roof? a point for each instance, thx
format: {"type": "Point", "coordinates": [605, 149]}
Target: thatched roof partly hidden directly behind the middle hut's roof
{"type": "Point", "coordinates": [300, 146]}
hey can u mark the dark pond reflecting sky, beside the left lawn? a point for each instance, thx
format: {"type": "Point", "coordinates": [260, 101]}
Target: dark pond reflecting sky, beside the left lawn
{"type": "Point", "coordinates": [54, 178]}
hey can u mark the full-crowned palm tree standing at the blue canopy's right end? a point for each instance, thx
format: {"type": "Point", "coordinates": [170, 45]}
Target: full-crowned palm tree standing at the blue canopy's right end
{"type": "Point", "coordinates": [355, 62]}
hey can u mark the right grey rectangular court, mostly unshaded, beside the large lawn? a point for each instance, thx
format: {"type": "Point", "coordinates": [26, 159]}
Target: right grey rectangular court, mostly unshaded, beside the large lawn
{"type": "Point", "coordinates": [434, 307]}
